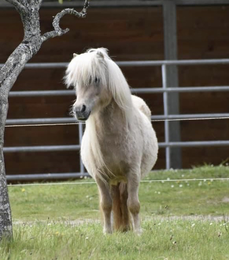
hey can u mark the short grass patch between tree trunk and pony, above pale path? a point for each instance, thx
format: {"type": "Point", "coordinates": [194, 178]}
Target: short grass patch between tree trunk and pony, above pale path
{"type": "Point", "coordinates": [54, 202]}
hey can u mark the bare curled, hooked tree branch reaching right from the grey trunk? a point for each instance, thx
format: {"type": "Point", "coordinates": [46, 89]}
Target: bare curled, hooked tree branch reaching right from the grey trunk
{"type": "Point", "coordinates": [58, 31]}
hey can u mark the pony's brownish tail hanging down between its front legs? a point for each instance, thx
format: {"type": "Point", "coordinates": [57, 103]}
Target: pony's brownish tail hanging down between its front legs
{"type": "Point", "coordinates": [121, 216]}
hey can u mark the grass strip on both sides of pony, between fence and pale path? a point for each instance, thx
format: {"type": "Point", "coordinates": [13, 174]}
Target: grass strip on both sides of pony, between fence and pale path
{"type": "Point", "coordinates": [79, 201]}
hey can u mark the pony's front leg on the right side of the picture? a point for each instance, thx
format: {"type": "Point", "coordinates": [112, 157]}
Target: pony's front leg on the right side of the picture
{"type": "Point", "coordinates": [133, 201]}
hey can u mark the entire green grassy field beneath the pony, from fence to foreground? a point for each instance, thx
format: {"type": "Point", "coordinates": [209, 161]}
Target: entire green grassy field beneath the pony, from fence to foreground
{"type": "Point", "coordinates": [185, 215]}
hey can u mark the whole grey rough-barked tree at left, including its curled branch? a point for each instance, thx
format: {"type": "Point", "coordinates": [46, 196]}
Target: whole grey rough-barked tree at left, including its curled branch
{"type": "Point", "coordinates": [32, 41]}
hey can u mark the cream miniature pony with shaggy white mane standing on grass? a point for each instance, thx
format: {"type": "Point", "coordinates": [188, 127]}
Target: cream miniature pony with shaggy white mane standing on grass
{"type": "Point", "coordinates": [119, 145]}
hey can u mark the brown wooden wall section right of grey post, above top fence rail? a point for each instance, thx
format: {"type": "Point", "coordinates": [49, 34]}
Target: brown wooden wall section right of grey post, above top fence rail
{"type": "Point", "coordinates": [202, 32]}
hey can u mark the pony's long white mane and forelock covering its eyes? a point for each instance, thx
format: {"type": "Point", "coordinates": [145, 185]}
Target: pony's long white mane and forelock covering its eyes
{"type": "Point", "coordinates": [97, 63]}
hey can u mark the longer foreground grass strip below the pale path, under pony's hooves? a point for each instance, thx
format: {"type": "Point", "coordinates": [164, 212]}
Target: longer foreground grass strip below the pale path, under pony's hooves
{"type": "Point", "coordinates": [167, 239]}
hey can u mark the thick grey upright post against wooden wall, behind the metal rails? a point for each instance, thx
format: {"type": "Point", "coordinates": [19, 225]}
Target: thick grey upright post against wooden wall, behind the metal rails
{"type": "Point", "coordinates": [171, 76]}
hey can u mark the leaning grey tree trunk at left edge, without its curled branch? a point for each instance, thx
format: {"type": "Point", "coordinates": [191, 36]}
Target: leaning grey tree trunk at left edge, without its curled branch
{"type": "Point", "coordinates": [9, 73]}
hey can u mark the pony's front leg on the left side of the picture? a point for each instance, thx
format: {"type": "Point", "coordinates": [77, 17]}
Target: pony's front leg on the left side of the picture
{"type": "Point", "coordinates": [106, 205]}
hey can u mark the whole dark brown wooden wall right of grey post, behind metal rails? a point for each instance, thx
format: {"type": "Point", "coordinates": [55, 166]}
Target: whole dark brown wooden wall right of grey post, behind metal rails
{"type": "Point", "coordinates": [202, 34]}
